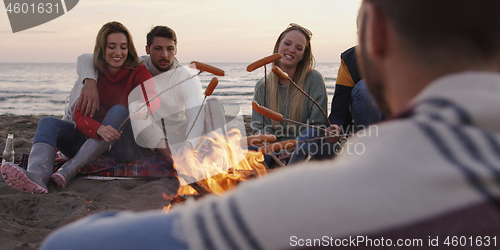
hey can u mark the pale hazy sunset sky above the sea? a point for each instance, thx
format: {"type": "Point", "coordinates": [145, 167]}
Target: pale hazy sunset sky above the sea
{"type": "Point", "coordinates": [207, 30]}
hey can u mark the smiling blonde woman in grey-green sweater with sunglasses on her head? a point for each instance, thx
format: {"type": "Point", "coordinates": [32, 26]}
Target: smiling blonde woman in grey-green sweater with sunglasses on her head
{"type": "Point", "coordinates": [298, 62]}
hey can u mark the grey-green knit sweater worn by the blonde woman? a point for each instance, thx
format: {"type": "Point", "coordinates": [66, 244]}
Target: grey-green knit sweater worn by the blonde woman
{"type": "Point", "coordinates": [311, 114]}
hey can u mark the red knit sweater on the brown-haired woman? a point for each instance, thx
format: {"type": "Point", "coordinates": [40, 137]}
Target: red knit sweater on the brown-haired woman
{"type": "Point", "coordinates": [114, 88]}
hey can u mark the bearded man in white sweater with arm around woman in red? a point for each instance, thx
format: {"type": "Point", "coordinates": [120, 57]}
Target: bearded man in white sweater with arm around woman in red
{"type": "Point", "coordinates": [180, 104]}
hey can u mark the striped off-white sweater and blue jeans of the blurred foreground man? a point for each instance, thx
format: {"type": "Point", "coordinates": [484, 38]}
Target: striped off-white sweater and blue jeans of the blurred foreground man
{"type": "Point", "coordinates": [429, 178]}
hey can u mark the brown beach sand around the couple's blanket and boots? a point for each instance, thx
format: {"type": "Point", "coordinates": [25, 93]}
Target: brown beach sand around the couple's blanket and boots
{"type": "Point", "coordinates": [27, 219]}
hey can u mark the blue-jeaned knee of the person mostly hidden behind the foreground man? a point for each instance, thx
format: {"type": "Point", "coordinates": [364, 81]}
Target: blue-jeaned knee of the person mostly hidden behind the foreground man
{"type": "Point", "coordinates": [365, 111]}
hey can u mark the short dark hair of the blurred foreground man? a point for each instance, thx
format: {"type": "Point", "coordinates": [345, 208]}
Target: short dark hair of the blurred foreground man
{"type": "Point", "coordinates": [446, 29]}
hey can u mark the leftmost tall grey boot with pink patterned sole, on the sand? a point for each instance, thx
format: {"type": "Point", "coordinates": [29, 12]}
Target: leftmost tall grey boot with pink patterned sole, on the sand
{"type": "Point", "coordinates": [35, 178]}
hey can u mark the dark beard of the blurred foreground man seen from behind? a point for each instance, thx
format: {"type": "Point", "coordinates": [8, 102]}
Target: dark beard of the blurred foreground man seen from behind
{"type": "Point", "coordinates": [371, 75]}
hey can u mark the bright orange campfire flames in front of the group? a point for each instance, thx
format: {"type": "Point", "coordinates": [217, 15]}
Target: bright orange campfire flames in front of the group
{"type": "Point", "coordinates": [217, 166]}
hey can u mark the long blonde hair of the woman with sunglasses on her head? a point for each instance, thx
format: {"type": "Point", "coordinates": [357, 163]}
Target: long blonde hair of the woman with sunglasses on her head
{"type": "Point", "coordinates": [304, 67]}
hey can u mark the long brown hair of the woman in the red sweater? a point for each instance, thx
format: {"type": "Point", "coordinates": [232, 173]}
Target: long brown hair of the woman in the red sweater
{"type": "Point", "coordinates": [101, 43]}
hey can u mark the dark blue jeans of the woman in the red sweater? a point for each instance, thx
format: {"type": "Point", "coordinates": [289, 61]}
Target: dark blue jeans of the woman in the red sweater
{"type": "Point", "coordinates": [68, 139]}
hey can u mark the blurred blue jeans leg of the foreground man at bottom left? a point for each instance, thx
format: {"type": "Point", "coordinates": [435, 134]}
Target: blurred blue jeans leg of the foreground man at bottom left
{"type": "Point", "coordinates": [118, 230]}
